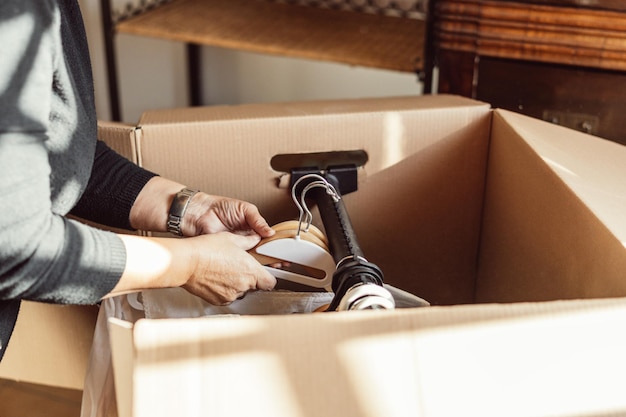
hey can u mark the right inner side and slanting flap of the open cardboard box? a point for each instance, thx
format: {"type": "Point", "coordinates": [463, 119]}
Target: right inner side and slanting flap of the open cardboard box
{"type": "Point", "coordinates": [550, 226]}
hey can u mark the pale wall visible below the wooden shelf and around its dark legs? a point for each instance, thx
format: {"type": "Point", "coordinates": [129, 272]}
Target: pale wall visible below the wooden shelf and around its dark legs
{"type": "Point", "coordinates": [152, 74]}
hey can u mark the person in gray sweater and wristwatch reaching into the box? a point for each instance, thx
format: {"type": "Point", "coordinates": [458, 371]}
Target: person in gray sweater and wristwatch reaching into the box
{"type": "Point", "coordinates": [52, 165]}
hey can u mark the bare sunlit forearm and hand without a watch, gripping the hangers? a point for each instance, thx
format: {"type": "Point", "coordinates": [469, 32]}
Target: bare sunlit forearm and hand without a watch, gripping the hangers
{"type": "Point", "coordinates": [215, 267]}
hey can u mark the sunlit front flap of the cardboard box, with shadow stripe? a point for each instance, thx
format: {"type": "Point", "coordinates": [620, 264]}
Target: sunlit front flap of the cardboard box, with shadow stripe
{"type": "Point", "coordinates": [515, 360]}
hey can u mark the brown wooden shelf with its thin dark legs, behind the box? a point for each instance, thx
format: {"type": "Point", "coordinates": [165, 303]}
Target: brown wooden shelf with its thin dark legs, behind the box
{"type": "Point", "coordinates": [368, 33]}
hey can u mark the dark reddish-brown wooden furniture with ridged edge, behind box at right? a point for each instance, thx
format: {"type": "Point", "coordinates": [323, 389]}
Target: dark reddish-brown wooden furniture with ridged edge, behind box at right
{"type": "Point", "coordinates": [560, 60]}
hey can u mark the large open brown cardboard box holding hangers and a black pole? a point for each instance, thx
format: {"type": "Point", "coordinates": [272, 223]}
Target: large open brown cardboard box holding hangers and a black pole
{"type": "Point", "coordinates": [511, 227]}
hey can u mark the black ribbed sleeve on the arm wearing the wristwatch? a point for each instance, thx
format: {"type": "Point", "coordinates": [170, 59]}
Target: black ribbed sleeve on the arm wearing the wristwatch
{"type": "Point", "coordinates": [113, 187]}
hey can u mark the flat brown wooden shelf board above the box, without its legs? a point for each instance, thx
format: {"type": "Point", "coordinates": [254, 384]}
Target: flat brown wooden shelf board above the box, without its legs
{"type": "Point", "coordinates": [352, 38]}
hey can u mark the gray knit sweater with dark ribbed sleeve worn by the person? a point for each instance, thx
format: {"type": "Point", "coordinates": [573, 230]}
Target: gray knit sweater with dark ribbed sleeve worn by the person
{"type": "Point", "coordinates": [51, 164]}
